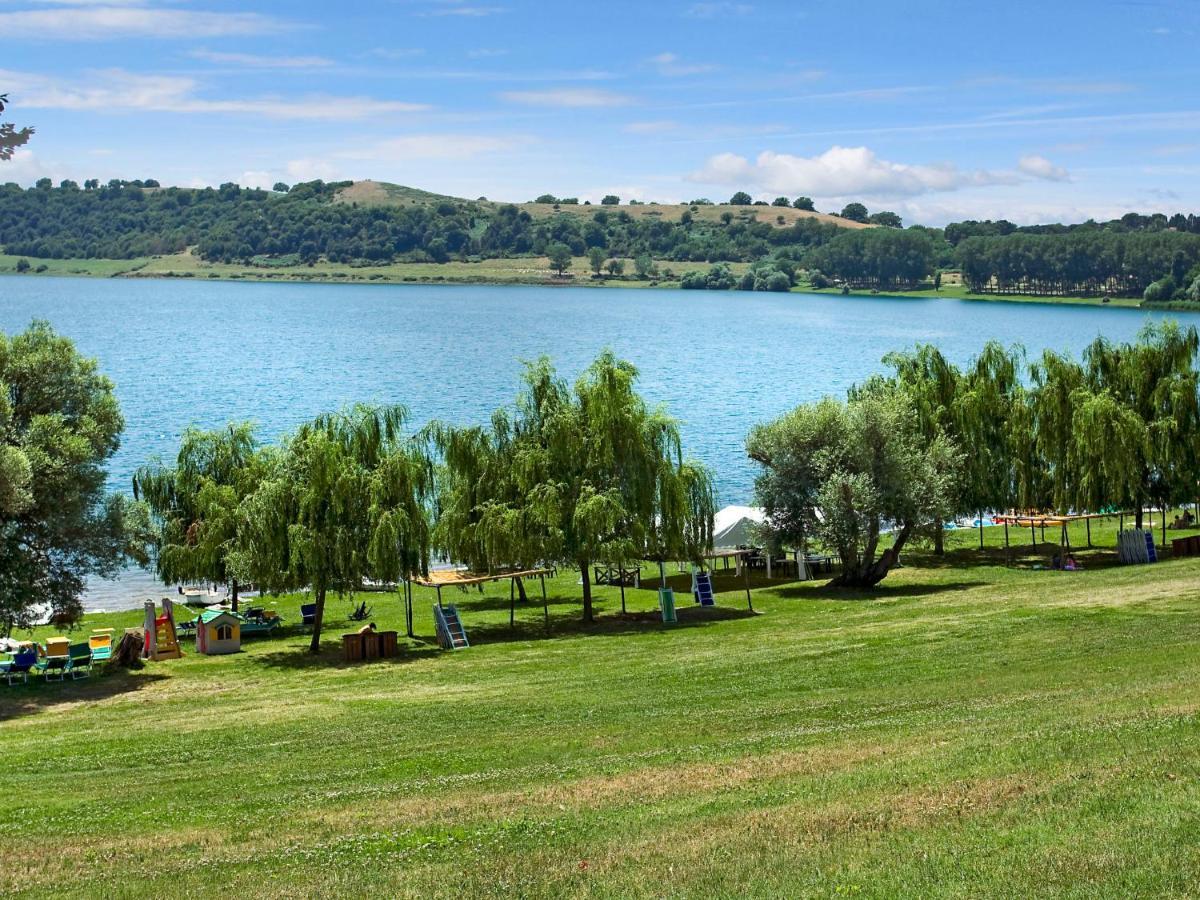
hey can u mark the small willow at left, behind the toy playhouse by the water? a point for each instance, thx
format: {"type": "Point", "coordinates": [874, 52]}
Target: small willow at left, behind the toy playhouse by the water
{"type": "Point", "coordinates": [194, 505]}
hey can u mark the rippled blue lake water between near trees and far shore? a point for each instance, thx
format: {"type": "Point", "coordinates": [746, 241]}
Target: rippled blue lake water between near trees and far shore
{"type": "Point", "coordinates": [205, 353]}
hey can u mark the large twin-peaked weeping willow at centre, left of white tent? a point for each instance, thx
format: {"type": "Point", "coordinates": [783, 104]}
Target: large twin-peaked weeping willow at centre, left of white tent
{"type": "Point", "coordinates": [578, 476]}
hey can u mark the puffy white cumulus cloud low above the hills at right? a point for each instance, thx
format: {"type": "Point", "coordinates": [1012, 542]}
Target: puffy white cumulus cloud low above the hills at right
{"type": "Point", "coordinates": [842, 172]}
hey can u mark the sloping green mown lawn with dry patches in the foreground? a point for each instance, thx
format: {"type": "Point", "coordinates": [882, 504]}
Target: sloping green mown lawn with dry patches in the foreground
{"type": "Point", "coordinates": [971, 729]}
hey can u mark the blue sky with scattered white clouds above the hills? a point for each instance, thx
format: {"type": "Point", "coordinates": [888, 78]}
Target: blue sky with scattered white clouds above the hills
{"type": "Point", "coordinates": [1035, 112]}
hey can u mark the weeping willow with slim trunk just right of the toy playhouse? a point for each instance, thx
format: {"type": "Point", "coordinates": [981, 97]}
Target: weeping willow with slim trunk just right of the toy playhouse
{"type": "Point", "coordinates": [344, 501]}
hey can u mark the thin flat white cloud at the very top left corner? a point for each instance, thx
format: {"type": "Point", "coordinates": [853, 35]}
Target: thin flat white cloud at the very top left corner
{"type": "Point", "coordinates": [88, 22]}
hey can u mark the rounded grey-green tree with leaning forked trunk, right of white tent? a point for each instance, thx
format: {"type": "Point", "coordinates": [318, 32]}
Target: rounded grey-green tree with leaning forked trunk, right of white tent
{"type": "Point", "coordinates": [847, 472]}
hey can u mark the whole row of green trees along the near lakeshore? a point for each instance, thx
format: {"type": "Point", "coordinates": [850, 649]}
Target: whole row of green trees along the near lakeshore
{"type": "Point", "coordinates": [578, 475]}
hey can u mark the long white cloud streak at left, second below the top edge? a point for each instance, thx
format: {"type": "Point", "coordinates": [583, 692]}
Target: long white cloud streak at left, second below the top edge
{"type": "Point", "coordinates": [117, 91]}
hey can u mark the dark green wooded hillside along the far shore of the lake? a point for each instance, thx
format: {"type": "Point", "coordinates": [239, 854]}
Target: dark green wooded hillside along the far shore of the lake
{"type": "Point", "coordinates": [1153, 257]}
